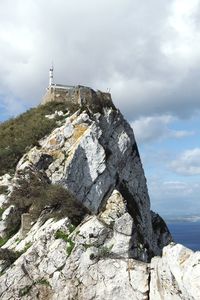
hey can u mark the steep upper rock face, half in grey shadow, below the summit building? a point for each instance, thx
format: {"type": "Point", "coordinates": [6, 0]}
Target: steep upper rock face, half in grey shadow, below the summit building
{"type": "Point", "coordinates": [95, 156]}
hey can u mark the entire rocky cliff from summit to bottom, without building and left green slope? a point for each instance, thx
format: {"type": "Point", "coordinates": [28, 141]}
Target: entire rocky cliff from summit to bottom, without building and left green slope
{"type": "Point", "coordinates": [76, 220]}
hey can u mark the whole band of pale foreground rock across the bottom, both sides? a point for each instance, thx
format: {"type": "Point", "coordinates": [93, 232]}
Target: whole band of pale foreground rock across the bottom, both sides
{"type": "Point", "coordinates": [58, 261]}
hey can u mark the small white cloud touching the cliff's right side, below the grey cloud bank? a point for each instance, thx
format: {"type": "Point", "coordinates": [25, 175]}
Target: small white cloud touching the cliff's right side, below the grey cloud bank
{"type": "Point", "coordinates": [148, 129]}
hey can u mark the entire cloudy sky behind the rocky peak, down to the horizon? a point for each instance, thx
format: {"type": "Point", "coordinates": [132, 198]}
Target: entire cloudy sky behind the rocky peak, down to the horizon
{"type": "Point", "coordinates": [146, 52]}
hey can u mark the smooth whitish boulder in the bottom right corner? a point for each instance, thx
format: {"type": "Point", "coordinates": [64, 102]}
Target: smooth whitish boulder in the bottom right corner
{"type": "Point", "coordinates": [175, 275]}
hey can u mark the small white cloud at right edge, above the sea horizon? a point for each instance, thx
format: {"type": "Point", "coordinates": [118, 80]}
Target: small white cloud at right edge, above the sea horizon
{"type": "Point", "coordinates": [188, 163]}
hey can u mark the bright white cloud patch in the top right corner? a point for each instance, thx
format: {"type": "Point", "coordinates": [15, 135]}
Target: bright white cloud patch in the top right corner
{"type": "Point", "coordinates": [184, 45]}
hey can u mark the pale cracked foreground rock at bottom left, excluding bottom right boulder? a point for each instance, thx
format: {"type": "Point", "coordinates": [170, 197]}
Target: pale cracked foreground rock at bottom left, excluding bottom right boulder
{"type": "Point", "coordinates": [87, 270]}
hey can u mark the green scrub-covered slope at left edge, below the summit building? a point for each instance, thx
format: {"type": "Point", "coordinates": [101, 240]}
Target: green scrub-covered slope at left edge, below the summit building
{"type": "Point", "coordinates": [19, 134]}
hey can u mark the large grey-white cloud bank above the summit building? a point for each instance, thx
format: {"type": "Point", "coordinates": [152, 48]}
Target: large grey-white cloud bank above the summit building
{"type": "Point", "coordinates": [147, 53]}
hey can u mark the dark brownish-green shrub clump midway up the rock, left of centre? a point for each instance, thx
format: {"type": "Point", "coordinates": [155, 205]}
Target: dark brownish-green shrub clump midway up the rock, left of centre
{"type": "Point", "coordinates": [34, 193]}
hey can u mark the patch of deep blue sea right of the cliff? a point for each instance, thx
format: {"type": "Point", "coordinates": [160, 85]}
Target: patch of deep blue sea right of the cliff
{"type": "Point", "coordinates": [186, 233]}
